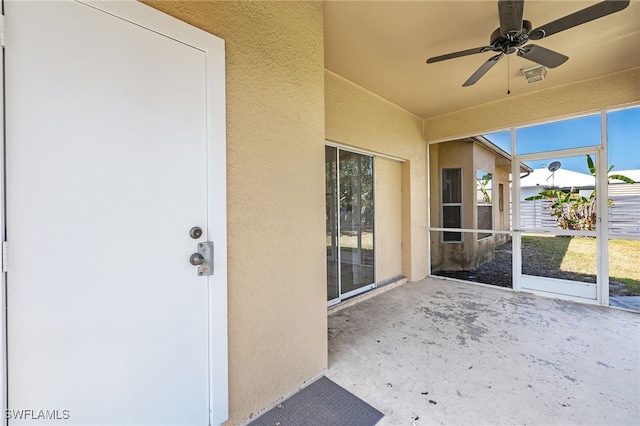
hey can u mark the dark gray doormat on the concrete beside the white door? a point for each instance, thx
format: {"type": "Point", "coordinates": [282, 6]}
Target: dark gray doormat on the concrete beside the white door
{"type": "Point", "coordinates": [322, 403]}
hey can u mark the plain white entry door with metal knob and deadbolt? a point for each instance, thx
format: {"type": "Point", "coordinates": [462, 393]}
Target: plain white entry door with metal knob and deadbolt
{"type": "Point", "coordinates": [107, 170]}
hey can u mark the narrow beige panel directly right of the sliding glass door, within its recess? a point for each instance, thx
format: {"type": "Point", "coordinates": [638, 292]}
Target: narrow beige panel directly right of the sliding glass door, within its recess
{"type": "Point", "coordinates": [388, 207]}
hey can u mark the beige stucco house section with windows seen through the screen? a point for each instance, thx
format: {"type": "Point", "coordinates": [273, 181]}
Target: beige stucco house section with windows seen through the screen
{"type": "Point", "coordinates": [470, 189]}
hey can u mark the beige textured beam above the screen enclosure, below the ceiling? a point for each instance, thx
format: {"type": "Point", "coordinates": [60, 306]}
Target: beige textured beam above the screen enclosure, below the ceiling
{"type": "Point", "coordinates": [617, 89]}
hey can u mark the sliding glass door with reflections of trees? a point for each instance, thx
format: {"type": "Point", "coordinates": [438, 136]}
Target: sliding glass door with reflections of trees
{"type": "Point", "coordinates": [349, 223]}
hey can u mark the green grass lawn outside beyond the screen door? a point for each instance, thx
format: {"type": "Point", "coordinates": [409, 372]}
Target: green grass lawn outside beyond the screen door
{"type": "Point", "coordinates": [575, 258]}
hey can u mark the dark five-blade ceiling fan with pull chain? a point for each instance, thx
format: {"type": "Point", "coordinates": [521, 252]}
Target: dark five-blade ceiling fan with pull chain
{"type": "Point", "coordinates": [514, 33]}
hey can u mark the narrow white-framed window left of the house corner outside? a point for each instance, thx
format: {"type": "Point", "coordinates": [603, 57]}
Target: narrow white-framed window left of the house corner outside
{"type": "Point", "coordinates": [452, 204]}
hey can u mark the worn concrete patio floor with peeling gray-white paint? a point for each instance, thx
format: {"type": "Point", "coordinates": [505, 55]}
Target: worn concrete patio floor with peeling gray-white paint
{"type": "Point", "coordinates": [444, 352]}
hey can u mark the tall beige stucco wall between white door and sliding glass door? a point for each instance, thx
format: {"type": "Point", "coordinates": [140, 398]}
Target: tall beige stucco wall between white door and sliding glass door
{"type": "Point", "coordinates": [275, 168]}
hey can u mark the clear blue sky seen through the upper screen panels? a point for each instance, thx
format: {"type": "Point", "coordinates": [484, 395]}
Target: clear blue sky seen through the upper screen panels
{"type": "Point", "coordinates": [623, 135]}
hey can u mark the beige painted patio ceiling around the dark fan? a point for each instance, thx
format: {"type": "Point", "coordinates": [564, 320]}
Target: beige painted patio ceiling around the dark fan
{"type": "Point", "coordinates": [382, 46]}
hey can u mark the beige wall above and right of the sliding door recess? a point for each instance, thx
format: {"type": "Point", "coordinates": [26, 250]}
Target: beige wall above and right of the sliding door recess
{"type": "Point", "coordinates": [356, 117]}
